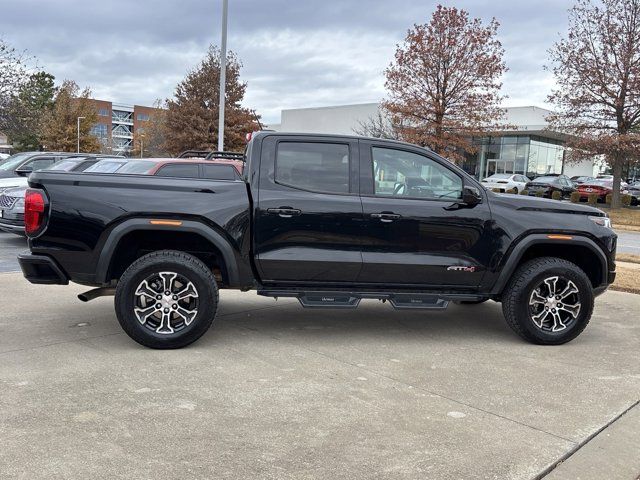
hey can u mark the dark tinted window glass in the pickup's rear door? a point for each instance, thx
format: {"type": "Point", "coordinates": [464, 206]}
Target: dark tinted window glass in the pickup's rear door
{"type": "Point", "coordinates": [318, 167]}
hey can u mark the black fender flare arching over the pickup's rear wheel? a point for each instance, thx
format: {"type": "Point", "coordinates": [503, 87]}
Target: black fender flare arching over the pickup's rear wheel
{"type": "Point", "coordinates": [137, 224]}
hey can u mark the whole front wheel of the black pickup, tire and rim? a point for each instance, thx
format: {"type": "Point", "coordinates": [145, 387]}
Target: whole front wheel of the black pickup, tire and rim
{"type": "Point", "coordinates": [549, 301]}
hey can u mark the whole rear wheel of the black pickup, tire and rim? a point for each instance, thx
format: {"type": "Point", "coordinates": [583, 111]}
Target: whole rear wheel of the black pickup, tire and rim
{"type": "Point", "coordinates": [166, 299]}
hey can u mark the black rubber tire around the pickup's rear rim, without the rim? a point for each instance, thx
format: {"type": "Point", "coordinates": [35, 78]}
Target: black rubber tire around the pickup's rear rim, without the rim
{"type": "Point", "coordinates": [186, 266]}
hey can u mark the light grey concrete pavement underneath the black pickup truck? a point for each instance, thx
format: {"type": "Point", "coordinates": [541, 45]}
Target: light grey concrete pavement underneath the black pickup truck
{"type": "Point", "coordinates": [275, 391]}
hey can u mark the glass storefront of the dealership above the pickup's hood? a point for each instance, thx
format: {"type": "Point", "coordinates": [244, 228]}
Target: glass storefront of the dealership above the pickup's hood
{"type": "Point", "coordinates": [527, 155]}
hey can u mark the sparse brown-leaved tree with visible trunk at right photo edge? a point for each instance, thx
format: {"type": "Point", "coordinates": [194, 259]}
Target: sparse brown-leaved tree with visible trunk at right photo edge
{"type": "Point", "coordinates": [597, 70]}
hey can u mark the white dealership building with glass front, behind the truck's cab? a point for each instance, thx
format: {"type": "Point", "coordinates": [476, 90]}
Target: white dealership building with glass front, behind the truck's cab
{"type": "Point", "coordinates": [529, 148]}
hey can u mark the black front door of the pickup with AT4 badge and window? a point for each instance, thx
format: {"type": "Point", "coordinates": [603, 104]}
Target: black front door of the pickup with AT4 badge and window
{"type": "Point", "coordinates": [415, 233]}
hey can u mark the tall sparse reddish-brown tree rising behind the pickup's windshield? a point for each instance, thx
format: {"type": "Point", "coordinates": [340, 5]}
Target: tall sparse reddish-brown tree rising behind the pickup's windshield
{"type": "Point", "coordinates": [444, 85]}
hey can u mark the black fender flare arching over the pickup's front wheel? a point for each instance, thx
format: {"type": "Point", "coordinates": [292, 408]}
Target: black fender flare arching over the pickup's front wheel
{"type": "Point", "coordinates": [513, 259]}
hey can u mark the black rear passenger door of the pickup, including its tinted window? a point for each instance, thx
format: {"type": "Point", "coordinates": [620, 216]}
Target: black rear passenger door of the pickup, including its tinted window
{"type": "Point", "coordinates": [308, 218]}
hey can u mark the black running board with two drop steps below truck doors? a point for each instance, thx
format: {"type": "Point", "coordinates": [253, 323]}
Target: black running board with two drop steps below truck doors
{"type": "Point", "coordinates": [344, 300]}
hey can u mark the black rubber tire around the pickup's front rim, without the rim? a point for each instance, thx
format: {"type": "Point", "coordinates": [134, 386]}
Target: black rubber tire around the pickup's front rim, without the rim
{"type": "Point", "coordinates": [515, 300]}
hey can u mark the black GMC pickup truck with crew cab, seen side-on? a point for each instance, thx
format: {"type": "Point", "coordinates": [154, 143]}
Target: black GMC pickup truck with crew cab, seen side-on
{"type": "Point", "coordinates": [329, 220]}
